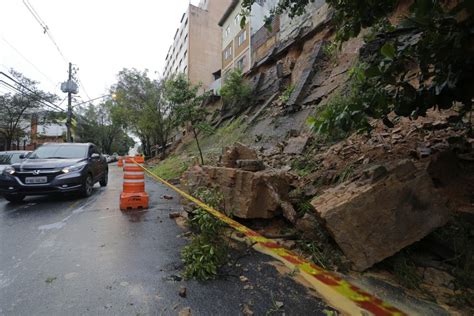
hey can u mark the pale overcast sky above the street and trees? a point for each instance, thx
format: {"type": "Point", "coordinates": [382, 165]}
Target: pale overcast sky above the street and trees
{"type": "Point", "coordinates": [99, 36]}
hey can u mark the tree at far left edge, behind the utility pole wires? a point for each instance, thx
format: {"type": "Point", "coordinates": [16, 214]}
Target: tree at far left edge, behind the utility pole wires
{"type": "Point", "coordinates": [14, 108]}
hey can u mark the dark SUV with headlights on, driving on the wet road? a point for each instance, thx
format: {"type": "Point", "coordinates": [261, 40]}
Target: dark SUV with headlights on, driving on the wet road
{"type": "Point", "coordinates": [54, 168]}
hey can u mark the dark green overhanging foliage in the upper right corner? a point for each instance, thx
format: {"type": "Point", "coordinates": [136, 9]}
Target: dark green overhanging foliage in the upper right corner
{"type": "Point", "coordinates": [421, 63]}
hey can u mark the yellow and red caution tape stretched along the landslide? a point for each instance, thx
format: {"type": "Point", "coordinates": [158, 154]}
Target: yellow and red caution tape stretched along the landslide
{"type": "Point", "coordinates": [341, 294]}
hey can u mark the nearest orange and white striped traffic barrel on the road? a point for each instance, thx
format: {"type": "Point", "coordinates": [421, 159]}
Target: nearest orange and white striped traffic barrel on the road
{"type": "Point", "coordinates": [133, 195]}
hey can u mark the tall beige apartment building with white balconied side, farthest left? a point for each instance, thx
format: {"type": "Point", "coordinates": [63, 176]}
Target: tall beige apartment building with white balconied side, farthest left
{"type": "Point", "coordinates": [196, 47]}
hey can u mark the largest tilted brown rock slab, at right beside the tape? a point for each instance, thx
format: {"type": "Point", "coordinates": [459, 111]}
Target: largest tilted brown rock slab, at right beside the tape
{"type": "Point", "coordinates": [371, 221]}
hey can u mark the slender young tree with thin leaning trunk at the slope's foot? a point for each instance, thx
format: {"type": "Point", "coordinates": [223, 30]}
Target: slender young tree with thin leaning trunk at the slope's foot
{"type": "Point", "coordinates": [187, 105]}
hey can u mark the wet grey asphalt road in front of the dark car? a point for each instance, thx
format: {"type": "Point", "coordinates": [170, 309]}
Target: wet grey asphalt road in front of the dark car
{"type": "Point", "coordinates": [72, 256]}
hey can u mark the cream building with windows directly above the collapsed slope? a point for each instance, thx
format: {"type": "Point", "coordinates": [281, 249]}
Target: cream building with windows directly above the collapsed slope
{"type": "Point", "coordinates": [236, 41]}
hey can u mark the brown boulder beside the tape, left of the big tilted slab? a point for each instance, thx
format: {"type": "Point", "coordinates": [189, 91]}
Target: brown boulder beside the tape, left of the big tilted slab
{"type": "Point", "coordinates": [262, 194]}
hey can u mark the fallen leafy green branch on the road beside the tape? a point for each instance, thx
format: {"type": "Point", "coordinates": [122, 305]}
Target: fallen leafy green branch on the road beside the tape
{"type": "Point", "coordinates": [208, 249]}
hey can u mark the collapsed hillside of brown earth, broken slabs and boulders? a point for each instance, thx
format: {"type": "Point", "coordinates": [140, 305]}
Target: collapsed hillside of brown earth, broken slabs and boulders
{"type": "Point", "coordinates": [395, 202]}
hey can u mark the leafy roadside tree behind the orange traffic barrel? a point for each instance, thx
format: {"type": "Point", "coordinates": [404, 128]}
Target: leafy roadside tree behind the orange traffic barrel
{"type": "Point", "coordinates": [142, 109]}
